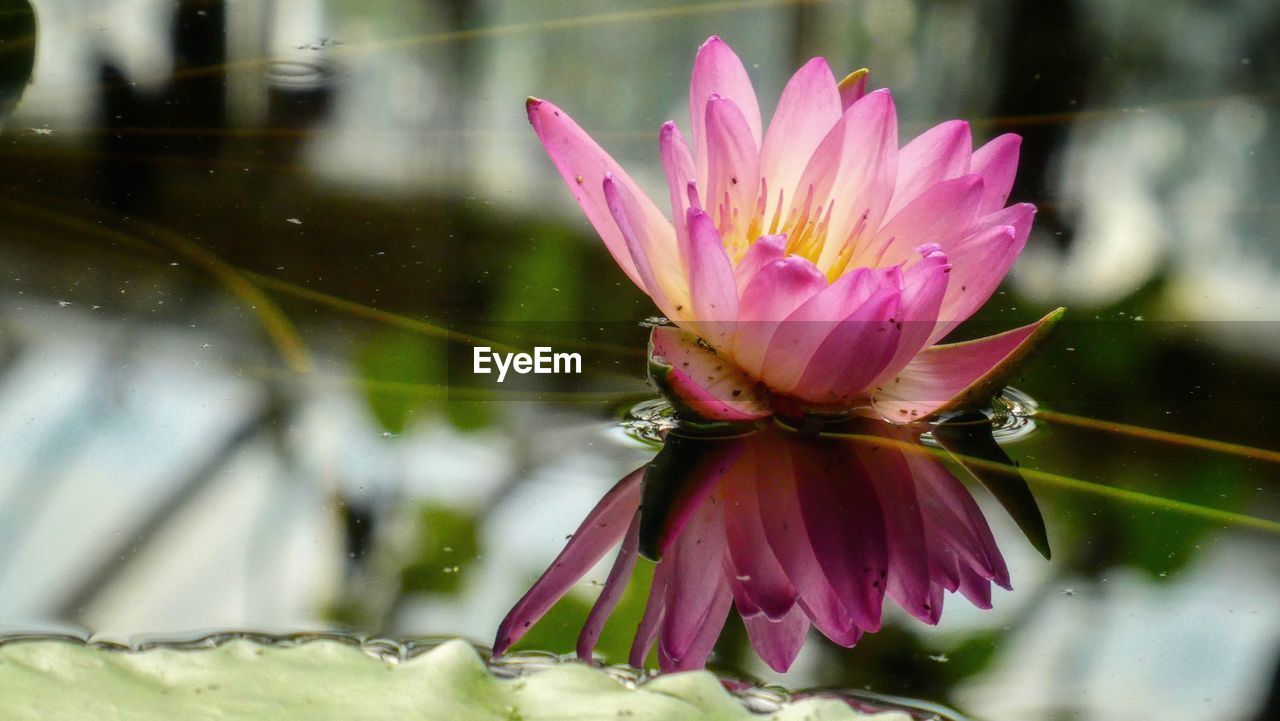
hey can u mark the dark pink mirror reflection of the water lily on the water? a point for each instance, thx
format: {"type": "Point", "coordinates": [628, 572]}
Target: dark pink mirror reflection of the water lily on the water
{"type": "Point", "coordinates": [792, 530]}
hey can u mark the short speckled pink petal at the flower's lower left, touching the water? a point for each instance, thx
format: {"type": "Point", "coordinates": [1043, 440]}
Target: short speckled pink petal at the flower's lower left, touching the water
{"type": "Point", "coordinates": [700, 382]}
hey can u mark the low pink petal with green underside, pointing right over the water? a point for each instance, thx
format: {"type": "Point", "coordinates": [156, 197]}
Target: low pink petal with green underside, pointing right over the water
{"type": "Point", "coordinates": [959, 376]}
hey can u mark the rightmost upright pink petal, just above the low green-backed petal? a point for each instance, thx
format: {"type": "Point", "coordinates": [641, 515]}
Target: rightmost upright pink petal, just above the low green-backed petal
{"type": "Point", "coordinates": [980, 264]}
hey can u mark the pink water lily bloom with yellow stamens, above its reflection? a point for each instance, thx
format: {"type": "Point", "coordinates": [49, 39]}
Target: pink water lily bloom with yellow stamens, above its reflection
{"type": "Point", "coordinates": [812, 266]}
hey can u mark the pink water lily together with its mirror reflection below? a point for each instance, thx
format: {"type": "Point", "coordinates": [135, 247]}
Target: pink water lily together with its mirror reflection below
{"type": "Point", "coordinates": [810, 272]}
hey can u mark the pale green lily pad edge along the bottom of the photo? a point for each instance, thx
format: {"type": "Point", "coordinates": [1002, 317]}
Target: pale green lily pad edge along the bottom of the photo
{"type": "Point", "coordinates": [324, 681]}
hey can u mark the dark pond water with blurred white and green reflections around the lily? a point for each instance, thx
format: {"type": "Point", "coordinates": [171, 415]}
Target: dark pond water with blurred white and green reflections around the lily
{"type": "Point", "coordinates": [248, 247]}
